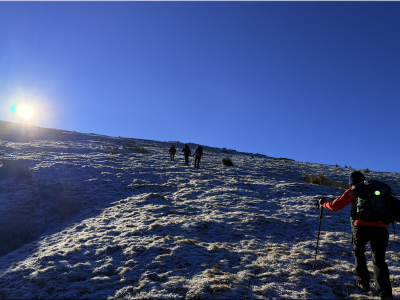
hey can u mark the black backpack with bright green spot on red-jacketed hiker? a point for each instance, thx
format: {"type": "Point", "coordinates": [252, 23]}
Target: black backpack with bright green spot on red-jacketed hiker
{"type": "Point", "coordinates": [375, 202]}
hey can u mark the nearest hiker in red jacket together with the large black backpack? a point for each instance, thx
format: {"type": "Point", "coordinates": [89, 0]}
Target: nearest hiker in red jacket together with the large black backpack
{"type": "Point", "coordinates": [373, 208]}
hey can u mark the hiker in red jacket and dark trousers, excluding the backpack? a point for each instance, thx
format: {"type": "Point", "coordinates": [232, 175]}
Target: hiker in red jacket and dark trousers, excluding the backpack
{"type": "Point", "coordinates": [363, 232]}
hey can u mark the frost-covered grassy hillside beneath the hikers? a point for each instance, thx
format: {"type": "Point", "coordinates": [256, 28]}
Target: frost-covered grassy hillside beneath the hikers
{"type": "Point", "coordinates": [136, 225]}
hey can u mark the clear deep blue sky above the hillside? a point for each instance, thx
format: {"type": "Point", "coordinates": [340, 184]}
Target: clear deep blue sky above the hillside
{"type": "Point", "coordinates": [312, 81]}
